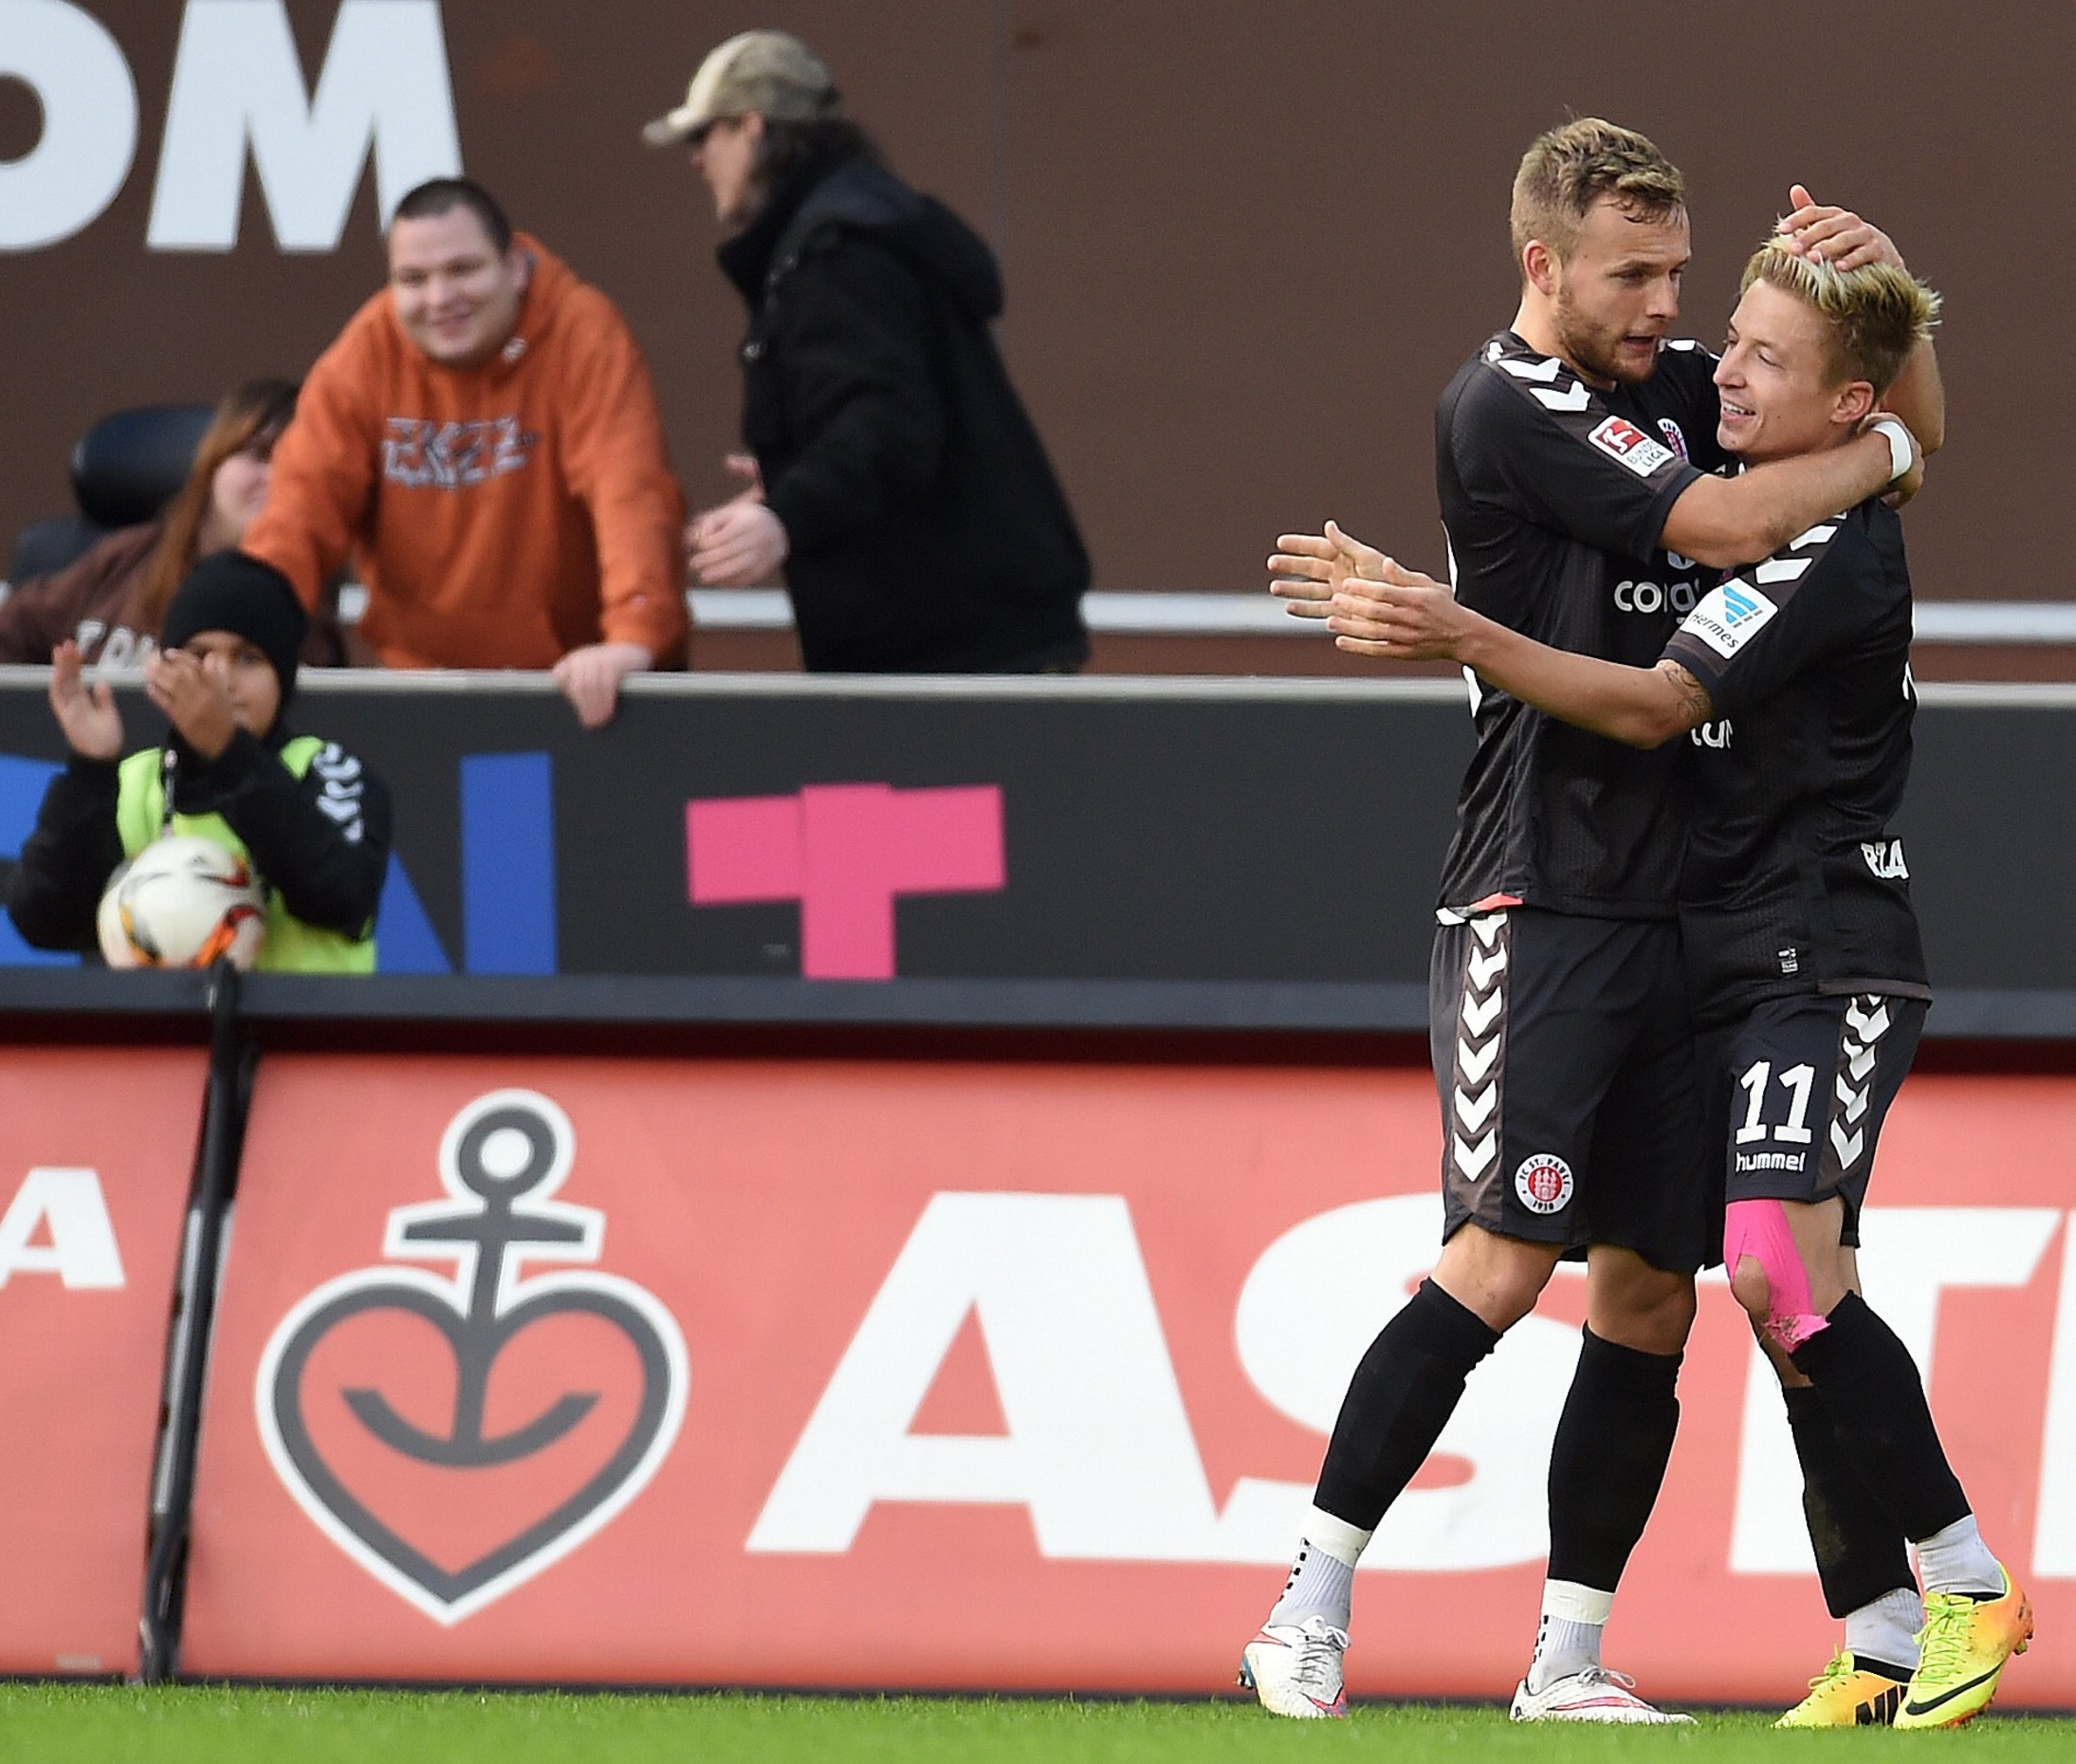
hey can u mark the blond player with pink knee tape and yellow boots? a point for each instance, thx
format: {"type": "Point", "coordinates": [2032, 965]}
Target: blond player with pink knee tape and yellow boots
{"type": "Point", "coordinates": [1793, 680]}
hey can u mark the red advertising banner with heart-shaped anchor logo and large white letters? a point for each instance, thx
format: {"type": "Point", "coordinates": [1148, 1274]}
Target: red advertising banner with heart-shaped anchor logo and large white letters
{"type": "Point", "coordinates": [875, 1375]}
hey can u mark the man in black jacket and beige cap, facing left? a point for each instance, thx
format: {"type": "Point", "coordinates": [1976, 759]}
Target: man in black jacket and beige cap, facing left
{"type": "Point", "coordinates": [904, 487]}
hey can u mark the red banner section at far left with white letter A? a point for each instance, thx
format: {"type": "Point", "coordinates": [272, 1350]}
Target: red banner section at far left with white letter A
{"type": "Point", "coordinates": [97, 1155]}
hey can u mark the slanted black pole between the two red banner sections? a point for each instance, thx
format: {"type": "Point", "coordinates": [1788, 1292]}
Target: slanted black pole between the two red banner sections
{"type": "Point", "coordinates": [188, 1354]}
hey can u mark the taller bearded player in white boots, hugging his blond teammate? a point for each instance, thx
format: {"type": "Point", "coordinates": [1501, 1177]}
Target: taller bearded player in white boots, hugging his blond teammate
{"type": "Point", "coordinates": [1589, 501]}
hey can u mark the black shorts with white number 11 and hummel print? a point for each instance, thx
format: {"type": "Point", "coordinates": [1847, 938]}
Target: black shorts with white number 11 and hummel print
{"type": "Point", "coordinates": [1799, 1091]}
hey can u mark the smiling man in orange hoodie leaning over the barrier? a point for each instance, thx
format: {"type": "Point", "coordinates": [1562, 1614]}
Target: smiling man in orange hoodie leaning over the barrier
{"type": "Point", "coordinates": [485, 439]}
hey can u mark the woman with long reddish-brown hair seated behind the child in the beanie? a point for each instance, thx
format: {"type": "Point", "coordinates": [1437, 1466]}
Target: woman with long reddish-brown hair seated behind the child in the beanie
{"type": "Point", "coordinates": [113, 599]}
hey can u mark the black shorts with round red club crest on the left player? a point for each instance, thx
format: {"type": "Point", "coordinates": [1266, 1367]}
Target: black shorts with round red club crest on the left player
{"type": "Point", "coordinates": [1570, 1097]}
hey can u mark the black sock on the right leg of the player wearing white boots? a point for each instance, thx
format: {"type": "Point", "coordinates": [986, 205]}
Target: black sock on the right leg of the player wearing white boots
{"type": "Point", "coordinates": [1608, 1460]}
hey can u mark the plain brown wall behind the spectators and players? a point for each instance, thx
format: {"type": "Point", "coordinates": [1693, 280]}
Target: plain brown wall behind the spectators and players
{"type": "Point", "coordinates": [1247, 246]}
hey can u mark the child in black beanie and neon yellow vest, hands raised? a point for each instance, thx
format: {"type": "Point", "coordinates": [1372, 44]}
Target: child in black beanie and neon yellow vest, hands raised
{"type": "Point", "coordinates": [312, 819]}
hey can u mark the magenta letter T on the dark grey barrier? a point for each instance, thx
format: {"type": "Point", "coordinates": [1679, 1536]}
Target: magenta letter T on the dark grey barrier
{"type": "Point", "coordinates": [844, 852]}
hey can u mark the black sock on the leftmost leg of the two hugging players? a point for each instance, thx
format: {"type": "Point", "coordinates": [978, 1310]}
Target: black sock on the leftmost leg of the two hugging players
{"type": "Point", "coordinates": [1398, 1404]}
